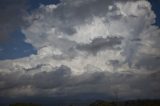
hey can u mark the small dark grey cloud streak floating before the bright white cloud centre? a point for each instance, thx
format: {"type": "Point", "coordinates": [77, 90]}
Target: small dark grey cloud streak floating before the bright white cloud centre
{"type": "Point", "coordinates": [99, 44]}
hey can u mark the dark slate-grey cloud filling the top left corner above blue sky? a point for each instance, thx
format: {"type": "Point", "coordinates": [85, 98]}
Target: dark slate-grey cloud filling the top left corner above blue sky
{"type": "Point", "coordinates": [11, 13]}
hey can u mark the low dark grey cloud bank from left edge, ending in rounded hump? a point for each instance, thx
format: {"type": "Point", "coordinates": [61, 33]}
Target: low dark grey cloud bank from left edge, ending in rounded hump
{"type": "Point", "coordinates": [59, 76]}
